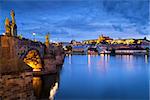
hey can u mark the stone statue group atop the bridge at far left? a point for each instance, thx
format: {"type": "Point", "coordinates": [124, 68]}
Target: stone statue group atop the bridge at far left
{"type": "Point", "coordinates": [10, 26]}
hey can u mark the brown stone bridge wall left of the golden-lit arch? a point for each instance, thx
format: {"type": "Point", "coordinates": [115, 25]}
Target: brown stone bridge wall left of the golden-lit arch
{"type": "Point", "coordinates": [9, 61]}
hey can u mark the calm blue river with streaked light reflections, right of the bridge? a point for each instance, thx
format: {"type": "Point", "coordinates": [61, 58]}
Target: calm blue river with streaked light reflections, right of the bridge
{"type": "Point", "coordinates": [85, 77]}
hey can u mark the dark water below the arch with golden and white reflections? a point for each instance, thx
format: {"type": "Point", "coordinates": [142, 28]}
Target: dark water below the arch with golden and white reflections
{"type": "Point", "coordinates": [45, 87]}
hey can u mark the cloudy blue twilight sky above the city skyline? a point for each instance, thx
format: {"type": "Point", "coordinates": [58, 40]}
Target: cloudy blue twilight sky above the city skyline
{"type": "Point", "coordinates": [78, 19]}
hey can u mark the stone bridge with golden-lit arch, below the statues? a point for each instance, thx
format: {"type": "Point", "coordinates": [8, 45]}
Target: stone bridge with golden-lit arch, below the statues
{"type": "Point", "coordinates": [20, 54]}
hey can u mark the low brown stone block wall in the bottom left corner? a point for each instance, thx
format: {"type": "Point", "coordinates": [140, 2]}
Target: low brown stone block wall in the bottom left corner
{"type": "Point", "coordinates": [16, 86]}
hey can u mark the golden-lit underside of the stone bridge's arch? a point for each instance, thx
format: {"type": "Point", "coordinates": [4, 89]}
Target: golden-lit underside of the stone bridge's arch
{"type": "Point", "coordinates": [33, 60]}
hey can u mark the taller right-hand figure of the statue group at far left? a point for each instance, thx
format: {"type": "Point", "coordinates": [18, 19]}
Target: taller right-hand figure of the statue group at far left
{"type": "Point", "coordinates": [13, 24]}
